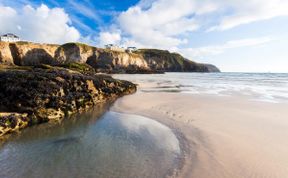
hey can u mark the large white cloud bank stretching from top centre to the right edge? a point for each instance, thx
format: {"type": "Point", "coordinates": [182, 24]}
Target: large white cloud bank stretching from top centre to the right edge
{"type": "Point", "coordinates": [167, 23]}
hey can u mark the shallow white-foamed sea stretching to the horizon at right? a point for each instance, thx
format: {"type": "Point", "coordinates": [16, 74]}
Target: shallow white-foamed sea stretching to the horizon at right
{"type": "Point", "coordinates": [267, 87]}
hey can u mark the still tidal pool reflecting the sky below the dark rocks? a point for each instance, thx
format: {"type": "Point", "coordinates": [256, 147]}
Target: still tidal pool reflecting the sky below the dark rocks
{"type": "Point", "coordinates": [92, 145]}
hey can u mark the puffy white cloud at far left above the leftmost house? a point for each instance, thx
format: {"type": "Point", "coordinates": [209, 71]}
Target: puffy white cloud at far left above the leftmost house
{"type": "Point", "coordinates": [40, 24]}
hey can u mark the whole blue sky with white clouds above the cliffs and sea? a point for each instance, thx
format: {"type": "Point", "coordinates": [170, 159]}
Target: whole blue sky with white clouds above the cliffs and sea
{"type": "Point", "coordinates": [234, 36]}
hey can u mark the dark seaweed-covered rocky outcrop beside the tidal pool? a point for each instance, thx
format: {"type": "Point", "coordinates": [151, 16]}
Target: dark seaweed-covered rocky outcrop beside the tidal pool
{"type": "Point", "coordinates": [33, 95]}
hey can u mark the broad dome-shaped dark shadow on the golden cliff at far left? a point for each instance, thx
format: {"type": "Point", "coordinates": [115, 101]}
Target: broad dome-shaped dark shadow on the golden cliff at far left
{"type": "Point", "coordinates": [38, 56]}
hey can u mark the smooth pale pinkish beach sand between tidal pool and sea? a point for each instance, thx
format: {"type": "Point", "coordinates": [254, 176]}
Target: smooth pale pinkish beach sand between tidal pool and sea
{"type": "Point", "coordinates": [227, 136]}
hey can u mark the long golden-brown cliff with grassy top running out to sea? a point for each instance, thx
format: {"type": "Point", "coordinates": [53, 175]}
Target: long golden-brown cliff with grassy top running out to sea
{"type": "Point", "coordinates": [102, 60]}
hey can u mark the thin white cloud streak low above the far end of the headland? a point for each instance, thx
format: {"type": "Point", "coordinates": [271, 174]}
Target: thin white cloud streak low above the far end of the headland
{"type": "Point", "coordinates": [218, 49]}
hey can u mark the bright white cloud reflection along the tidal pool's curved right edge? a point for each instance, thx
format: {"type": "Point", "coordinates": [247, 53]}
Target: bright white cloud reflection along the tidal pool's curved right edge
{"type": "Point", "coordinates": [161, 134]}
